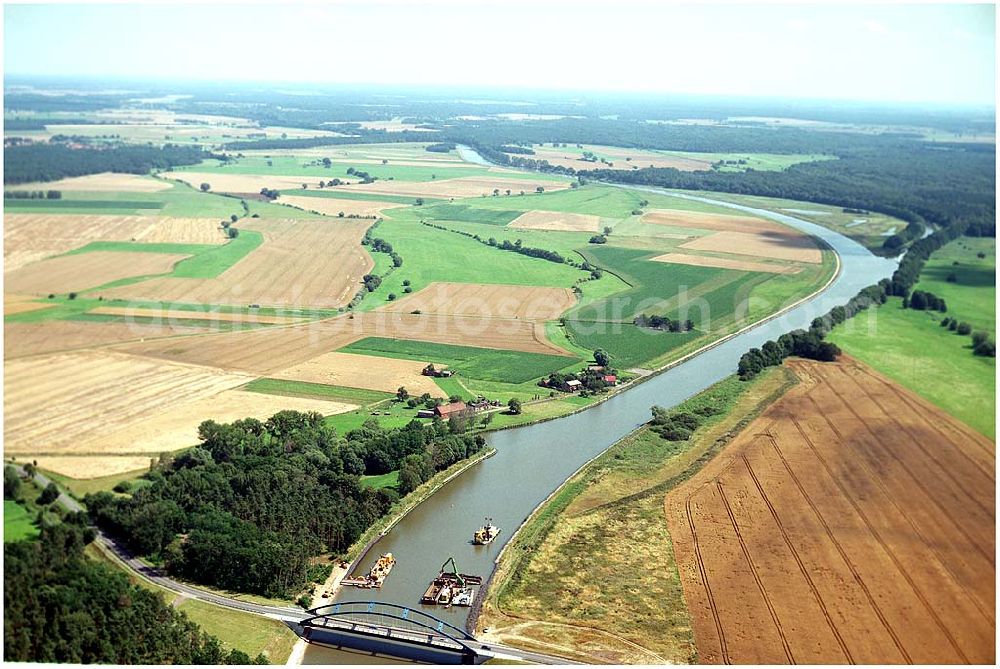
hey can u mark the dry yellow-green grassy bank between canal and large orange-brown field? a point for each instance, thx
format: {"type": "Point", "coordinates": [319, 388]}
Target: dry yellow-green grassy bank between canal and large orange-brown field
{"type": "Point", "coordinates": [591, 575]}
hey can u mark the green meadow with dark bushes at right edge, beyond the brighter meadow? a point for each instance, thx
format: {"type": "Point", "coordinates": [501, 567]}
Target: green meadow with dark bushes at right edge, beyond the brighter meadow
{"type": "Point", "coordinates": [972, 296]}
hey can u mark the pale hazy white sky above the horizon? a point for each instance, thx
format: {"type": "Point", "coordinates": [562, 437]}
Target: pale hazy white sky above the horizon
{"type": "Point", "coordinates": [935, 53]}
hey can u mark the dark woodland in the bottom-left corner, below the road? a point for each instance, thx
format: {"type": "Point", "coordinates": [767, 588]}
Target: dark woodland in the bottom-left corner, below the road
{"type": "Point", "coordinates": [60, 606]}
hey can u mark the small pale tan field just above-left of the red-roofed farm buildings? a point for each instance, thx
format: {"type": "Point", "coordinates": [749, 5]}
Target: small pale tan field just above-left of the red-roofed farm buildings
{"type": "Point", "coordinates": [363, 371]}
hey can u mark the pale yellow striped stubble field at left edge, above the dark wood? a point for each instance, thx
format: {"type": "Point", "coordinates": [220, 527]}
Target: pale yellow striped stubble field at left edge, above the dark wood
{"type": "Point", "coordinates": [56, 404]}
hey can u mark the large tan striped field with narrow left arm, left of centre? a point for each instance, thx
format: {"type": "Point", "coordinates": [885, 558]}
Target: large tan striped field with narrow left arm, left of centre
{"type": "Point", "coordinates": [304, 263]}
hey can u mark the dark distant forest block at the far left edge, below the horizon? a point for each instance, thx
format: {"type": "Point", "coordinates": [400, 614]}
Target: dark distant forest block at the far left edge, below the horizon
{"type": "Point", "coordinates": [26, 163]}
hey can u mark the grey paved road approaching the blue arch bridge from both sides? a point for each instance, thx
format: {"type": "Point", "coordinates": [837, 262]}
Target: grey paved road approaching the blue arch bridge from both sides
{"type": "Point", "coordinates": [287, 614]}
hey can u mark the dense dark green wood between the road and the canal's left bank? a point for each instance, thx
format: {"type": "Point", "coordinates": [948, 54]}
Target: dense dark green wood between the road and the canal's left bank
{"type": "Point", "coordinates": [249, 507]}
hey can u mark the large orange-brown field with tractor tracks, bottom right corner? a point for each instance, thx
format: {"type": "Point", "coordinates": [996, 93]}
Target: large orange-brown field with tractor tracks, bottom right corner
{"type": "Point", "coordinates": [852, 522]}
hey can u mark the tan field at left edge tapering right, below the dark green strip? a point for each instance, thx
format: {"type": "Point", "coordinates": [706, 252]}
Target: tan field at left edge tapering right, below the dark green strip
{"type": "Point", "coordinates": [86, 270]}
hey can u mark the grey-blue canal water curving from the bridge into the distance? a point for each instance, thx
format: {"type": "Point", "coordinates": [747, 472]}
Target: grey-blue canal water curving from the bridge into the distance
{"type": "Point", "coordinates": [532, 461]}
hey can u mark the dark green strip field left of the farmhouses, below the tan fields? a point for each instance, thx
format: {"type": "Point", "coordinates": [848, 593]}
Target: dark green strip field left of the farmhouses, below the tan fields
{"type": "Point", "coordinates": [468, 361]}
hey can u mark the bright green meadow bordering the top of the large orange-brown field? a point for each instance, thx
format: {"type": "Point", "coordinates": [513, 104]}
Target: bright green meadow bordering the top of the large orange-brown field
{"type": "Point", "coordinates": [911, 348]}
